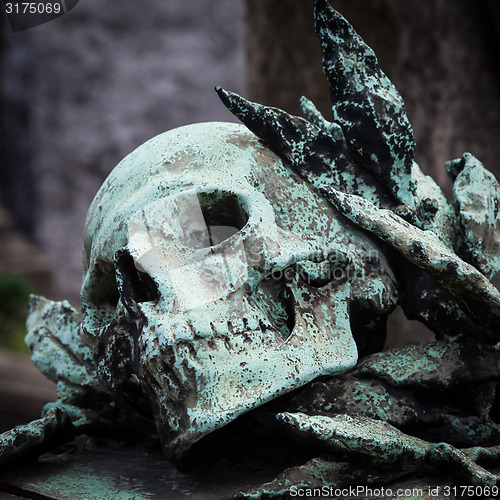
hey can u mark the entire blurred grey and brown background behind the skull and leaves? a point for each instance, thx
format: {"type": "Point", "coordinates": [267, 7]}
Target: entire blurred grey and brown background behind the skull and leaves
{"type": "Point", "coordinates": [80, 92]}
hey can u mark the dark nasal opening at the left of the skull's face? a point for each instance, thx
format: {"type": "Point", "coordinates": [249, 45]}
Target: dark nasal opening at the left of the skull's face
{"type": "Point", "coordinates": [135, 286]}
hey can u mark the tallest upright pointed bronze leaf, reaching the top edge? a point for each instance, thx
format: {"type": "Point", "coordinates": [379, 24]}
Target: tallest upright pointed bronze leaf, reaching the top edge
{"type": "Point", "coordinates": [365, 103]}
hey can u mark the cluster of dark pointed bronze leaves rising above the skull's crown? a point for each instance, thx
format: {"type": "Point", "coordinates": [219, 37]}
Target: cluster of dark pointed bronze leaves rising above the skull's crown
{"type": "Point", "coordinates": [368, 148]}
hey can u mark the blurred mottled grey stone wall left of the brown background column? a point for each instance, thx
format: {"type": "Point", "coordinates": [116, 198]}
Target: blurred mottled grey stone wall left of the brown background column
{"type": "Point", "coordinates": [98, 82]}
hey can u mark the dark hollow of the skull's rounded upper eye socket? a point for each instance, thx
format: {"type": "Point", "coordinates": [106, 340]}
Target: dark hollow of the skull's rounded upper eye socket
{"type": "Point", "coordinates": [223, 213]}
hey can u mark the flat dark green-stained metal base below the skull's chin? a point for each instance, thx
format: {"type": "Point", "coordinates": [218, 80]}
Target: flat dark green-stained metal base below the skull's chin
{"type": "Point", "coordinates": [81, 472]}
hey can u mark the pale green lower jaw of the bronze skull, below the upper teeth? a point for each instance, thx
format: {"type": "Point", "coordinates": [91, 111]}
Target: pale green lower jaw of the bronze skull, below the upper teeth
{"type": "Point", "coordinates": [202, 386]}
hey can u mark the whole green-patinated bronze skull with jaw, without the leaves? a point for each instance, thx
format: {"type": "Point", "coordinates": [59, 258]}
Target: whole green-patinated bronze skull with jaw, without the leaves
{"type": "Point", "coordinates": [208, 274]}
